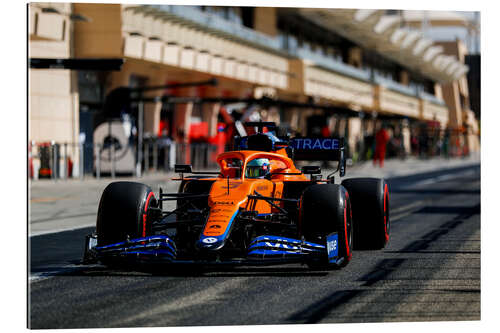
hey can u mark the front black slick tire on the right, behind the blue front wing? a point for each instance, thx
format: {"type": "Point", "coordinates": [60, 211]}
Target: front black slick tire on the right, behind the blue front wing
{"type": "Point", "coordinates": [324, 209]}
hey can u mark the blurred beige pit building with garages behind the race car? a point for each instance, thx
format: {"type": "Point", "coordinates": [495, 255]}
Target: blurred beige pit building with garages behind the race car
{"type": "Point", "coordinates": [323, 72]}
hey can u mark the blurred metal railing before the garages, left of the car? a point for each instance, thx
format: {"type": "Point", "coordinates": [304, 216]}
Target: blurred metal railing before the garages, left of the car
{"type": "Point", "coordinates": [61, 161]}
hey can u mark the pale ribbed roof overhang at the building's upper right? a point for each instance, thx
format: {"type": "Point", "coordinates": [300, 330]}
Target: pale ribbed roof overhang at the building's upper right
{"type": "Point", "coordinates": [373, 30]}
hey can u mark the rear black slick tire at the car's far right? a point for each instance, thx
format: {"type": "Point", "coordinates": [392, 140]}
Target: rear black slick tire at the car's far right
{"type": "Point", "coordinates": [370, 212]}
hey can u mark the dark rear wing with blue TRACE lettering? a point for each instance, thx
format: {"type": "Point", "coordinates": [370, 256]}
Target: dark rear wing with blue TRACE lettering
{"type": "Point", "coordinates": [319, 149]}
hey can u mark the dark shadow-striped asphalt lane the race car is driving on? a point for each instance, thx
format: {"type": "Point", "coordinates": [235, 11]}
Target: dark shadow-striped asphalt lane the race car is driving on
{"type": "Point", "coordinates": [429, 271]}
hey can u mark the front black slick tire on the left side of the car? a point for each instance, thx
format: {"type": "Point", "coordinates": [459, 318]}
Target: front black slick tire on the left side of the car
{"type": "Point", "coordinates": [123, 212]}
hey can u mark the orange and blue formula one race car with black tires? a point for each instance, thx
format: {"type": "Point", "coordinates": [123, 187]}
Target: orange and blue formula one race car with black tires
{"type": "Point", "coordinates": [258, 209]}
